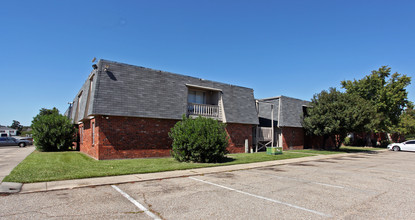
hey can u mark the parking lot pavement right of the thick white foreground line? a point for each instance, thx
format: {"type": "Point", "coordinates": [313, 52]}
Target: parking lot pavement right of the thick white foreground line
{"type": "Point", "coordinates": [365, 186]}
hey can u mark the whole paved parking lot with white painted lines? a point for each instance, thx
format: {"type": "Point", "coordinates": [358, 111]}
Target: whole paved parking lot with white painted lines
{"type": "Point", "coordinates": [357, 186]}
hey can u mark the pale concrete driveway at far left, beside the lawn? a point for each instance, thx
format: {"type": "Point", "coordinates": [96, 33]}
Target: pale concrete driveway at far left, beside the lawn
{"type": "Point", "coordinates": [11, 156]}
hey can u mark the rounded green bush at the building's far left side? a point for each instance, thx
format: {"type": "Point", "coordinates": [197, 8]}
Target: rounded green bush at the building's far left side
{"type": "Point", "coordinates": [52, 131]}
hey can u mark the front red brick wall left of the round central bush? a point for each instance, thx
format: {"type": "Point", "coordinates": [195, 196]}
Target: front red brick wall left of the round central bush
{"type": "Point", "coordinates": [128, 137]}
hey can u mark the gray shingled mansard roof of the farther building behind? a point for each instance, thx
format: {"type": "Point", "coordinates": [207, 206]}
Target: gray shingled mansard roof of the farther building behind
{"type": "Point", "coordinates": [290, 114]}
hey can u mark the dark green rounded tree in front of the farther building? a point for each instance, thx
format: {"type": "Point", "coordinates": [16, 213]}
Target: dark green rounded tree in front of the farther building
{"type": "Point", "coordinates": [334, 114]}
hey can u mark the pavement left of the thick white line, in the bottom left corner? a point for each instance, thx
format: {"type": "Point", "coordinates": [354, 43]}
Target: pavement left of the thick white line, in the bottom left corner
{"type": "Point", "coordinates": [85, 203]}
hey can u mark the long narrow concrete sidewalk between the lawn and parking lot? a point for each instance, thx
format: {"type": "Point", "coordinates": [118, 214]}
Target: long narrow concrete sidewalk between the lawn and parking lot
{"type": "Point", "coordinates": [78, 183]}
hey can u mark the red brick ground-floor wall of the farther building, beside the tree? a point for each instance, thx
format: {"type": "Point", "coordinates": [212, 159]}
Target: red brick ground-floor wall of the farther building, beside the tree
{"type": "Point", "coordinates": [292, 138]}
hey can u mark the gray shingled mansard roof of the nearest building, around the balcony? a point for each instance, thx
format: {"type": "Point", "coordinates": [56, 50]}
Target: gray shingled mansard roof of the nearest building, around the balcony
{"type": "Point", "coordinates": [127, 90]}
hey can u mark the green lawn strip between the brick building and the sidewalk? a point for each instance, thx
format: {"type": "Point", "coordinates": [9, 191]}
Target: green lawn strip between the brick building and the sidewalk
{"type": "Point", "coordinates": [53, 166]}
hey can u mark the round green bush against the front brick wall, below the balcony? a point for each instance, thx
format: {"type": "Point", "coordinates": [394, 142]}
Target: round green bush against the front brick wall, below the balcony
{"type": "Point", "coordinates": [199, 140]}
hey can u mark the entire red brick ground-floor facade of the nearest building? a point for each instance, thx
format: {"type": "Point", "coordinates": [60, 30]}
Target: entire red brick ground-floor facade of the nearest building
{"type": "Point", "coordinates": [129, 137]}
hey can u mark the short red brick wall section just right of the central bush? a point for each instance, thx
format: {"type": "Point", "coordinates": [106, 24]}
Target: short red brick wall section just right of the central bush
{"type": "Point", "coordinates": [237, 135]}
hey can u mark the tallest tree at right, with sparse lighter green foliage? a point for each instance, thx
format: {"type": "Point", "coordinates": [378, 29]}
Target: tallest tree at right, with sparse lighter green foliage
{"type": "Point", "coordinates": [388, 96]}
